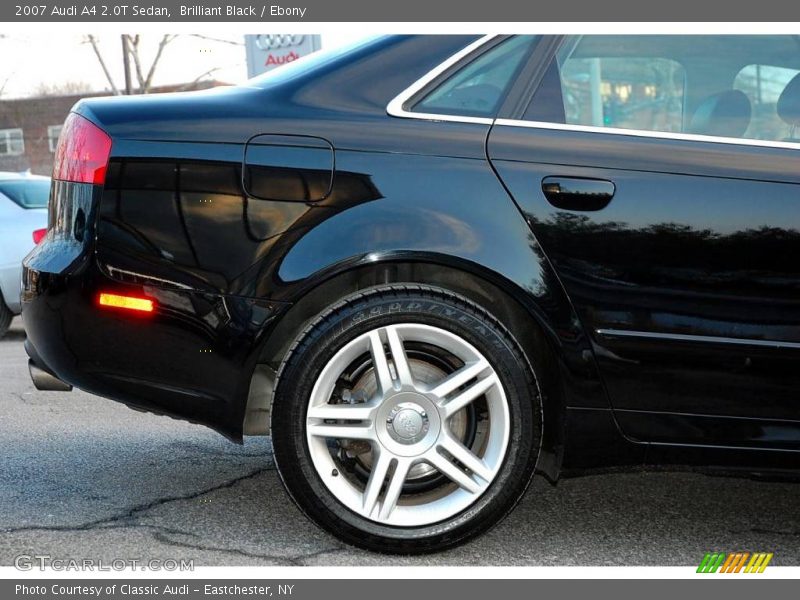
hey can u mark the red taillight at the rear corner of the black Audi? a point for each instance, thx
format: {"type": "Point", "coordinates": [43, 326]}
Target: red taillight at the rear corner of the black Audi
{"type": "Point", "coordinates": [82, 152]}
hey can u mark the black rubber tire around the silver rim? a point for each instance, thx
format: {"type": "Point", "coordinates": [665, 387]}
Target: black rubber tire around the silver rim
{"type": "Point", "coordinates": [346, 321]}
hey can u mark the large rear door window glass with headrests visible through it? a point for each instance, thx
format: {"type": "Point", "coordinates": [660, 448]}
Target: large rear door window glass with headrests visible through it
{"type": "Point", "coordinates": [744, 87]}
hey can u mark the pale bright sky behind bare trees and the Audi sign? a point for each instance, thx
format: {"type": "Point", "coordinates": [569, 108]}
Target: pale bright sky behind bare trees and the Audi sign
{"type": "Point", "coordinates": [60, 58]}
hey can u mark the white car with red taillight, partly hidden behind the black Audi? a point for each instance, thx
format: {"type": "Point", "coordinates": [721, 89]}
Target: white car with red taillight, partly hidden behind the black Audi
{"type": "Point", "coordinates": [23, 223]}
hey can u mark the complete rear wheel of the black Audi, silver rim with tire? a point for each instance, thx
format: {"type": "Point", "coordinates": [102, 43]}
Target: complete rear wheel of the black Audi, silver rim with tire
{"type": "Point", "coordinates": [406, 420]}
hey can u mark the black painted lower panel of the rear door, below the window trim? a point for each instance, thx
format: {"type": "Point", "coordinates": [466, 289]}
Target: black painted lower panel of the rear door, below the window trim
{"type": "Point", "coordinates": [692, 252]}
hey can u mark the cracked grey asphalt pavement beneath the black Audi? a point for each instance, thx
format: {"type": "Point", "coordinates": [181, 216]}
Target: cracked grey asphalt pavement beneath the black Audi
{"type": "Point", "coordinates": [84, 477]}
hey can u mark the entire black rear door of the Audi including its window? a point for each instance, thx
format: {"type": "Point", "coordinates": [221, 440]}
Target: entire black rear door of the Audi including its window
{"type": "Point", "coordinates": [661, 177]}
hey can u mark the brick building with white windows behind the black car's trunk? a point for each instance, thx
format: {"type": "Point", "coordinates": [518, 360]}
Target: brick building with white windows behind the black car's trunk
{"type": "Point", "coordinates": [29, 127]}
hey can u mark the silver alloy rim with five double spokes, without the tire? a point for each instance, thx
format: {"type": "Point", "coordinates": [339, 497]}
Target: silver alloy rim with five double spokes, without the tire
{"type": "Point", "coordinates": [408, 426]}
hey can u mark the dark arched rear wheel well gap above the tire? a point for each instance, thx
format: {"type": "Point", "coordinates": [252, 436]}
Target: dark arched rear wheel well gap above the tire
{"type": "Point", "coordinates": [523, 324]}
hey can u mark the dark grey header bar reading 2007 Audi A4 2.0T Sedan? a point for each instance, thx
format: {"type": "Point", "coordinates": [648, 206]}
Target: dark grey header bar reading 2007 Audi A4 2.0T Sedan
{"type": "Point", "coordinates": [321, 11]}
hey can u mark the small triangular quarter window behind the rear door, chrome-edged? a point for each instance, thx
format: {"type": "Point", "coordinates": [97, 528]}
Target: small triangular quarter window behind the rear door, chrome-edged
{"type": "Point", "coordinates": [478, 88]}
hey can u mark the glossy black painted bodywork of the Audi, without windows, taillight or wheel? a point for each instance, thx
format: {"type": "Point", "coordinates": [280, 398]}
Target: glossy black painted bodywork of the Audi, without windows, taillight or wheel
{"type": "Point", "coordinates": [239, 243]}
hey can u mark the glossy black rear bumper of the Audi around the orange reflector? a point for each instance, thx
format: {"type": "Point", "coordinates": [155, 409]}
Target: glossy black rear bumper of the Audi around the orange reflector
{"type": "Point", "coordinates": [192, 358]}
